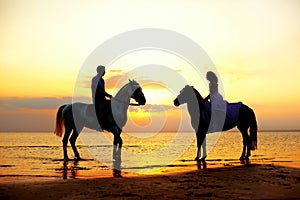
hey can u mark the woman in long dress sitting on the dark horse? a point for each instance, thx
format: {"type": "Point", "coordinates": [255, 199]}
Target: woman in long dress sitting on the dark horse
{"type": "Point", "coordinates": [218, 105]}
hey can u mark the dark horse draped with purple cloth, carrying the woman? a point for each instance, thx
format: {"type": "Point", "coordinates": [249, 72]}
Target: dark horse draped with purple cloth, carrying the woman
{"type": "Point", "coordinates": [200, 114]}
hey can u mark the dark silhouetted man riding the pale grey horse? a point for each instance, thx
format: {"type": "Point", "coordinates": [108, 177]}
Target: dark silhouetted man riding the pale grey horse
{"type": "Point", "coordinates": [99, 94]}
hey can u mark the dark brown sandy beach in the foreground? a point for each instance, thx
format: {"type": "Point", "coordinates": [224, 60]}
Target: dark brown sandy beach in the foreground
{"type": "Point", "coordinates": [256, 181]}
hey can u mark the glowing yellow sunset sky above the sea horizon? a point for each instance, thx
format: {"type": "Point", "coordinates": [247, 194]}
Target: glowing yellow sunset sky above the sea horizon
{"type": "Point", "coordinates": [44, 44]}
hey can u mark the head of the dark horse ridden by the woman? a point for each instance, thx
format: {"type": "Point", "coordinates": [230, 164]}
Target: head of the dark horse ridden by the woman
{"type": "Point", "coordinates": [187, 94]}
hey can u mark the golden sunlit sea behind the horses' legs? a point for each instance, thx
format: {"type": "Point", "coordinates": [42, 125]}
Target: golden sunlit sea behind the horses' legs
{"type": "Point", "coordinates": [32, 154]}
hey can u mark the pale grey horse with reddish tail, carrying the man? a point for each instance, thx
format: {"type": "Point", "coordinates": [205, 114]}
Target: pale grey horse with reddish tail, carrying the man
{"type": "Point", "coordinates": [74, 117]}
